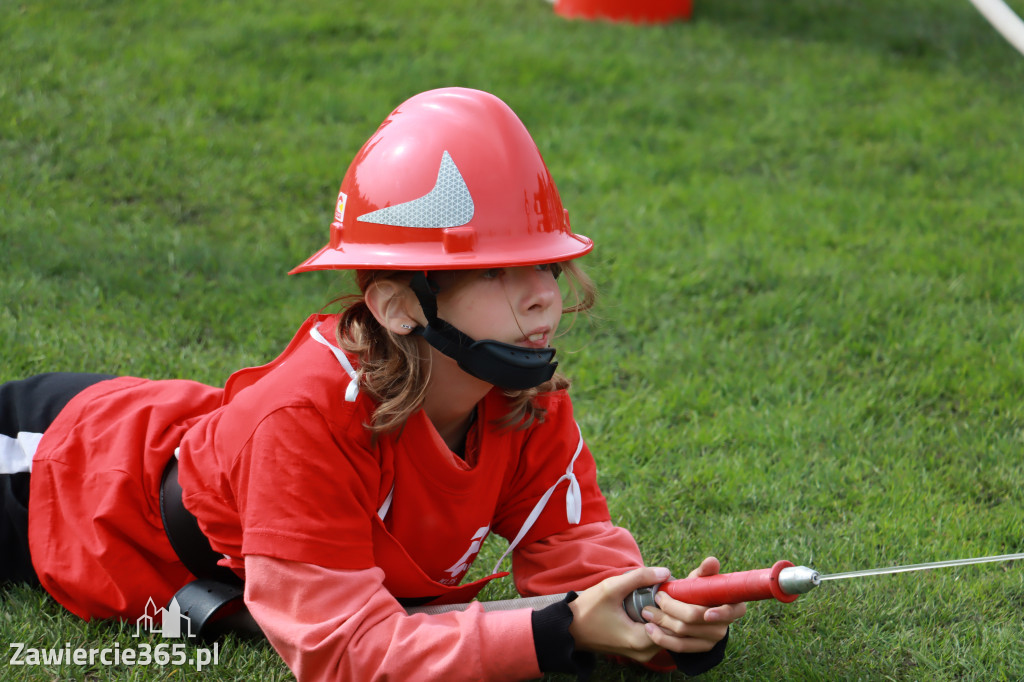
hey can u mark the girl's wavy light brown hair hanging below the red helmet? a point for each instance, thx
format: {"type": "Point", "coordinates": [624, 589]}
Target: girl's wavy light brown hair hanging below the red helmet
{"type": "Point", "coordinates": [395, 372]}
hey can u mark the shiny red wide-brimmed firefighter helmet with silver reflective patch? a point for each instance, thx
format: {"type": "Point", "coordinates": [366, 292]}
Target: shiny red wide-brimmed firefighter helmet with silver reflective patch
{"type": "Point", "coordinates": [451, 181]}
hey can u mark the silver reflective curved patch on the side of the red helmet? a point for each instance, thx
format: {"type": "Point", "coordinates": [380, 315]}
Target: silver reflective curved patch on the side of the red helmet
{"type": "Point", "coordinates": [448, 205]}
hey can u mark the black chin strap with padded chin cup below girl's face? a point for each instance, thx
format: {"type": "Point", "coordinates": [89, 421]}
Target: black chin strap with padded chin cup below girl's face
{"type": "Point", "coordinates": [503, 365]}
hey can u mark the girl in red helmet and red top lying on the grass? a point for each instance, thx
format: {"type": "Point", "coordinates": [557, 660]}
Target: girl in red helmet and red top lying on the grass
{"type": "Point", "coordinates": [361, 472]}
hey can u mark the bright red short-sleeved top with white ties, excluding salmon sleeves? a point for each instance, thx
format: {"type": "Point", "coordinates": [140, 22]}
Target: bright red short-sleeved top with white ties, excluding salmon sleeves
{"type": "Point", "coordinates": [279, 464]}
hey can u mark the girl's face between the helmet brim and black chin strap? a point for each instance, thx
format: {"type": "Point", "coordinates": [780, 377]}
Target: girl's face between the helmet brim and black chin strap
{"type": "Point", "coordinates": [519, 306]}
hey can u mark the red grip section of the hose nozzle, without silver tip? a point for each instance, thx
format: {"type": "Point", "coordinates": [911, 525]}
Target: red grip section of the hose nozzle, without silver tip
{"type": "Point", "coordinates": [731, 588]}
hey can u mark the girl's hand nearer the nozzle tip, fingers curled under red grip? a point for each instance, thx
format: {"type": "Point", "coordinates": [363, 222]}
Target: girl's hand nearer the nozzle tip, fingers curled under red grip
{"type": "Point", "coordinates": [687, 628]}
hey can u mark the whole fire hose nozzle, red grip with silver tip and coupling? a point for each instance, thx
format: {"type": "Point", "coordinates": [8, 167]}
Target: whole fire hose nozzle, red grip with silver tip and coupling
{"type": "Point", "coordinates": [784, 582]}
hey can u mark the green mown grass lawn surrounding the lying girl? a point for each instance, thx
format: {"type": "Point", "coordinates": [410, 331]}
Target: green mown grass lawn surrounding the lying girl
{"type": "Point", "coordinates": [808, 220]}
